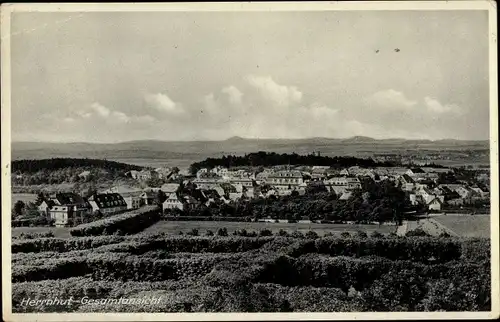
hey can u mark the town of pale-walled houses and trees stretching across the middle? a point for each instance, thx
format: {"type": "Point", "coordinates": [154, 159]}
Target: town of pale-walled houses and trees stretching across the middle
{"type": "Point", "coordinates": [427, 189]}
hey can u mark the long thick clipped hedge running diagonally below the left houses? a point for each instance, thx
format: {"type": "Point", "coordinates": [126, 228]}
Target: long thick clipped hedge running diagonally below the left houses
{"type": "Point", "coordinates": [126, 223]}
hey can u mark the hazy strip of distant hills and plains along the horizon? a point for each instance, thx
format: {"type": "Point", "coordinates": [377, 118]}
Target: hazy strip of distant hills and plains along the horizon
{"type": "Point", "coordinates": [183, 154]}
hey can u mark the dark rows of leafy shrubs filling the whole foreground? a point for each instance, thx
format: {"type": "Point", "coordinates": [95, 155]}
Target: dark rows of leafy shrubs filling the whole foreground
{"type": "Point", "coordinates": [255, 274]}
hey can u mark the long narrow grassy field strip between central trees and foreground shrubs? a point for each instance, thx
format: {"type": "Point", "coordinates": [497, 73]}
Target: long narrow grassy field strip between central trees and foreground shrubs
{"type": "Point", "coordinates": [173, 227]}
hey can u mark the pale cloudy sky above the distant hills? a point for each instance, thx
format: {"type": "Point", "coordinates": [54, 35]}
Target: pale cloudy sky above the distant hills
{"type": "Point", "coordinates": [112, 77]}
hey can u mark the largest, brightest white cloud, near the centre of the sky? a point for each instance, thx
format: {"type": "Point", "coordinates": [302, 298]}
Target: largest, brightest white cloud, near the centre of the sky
{"type": "Point", "coordinates": [278, 94]}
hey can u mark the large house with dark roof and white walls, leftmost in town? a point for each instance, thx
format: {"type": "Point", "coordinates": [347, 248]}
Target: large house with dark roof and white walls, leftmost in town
{"type": "Point", "coordinates": [65, 208]}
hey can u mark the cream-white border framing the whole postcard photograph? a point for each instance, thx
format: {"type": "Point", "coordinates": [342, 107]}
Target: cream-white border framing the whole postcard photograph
{"type": "Point", "coordinates": [7, 9]}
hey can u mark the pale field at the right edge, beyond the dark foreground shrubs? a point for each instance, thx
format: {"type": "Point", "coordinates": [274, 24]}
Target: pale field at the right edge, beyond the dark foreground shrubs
{"type": "Point", "coordinates": [466, 226]}
